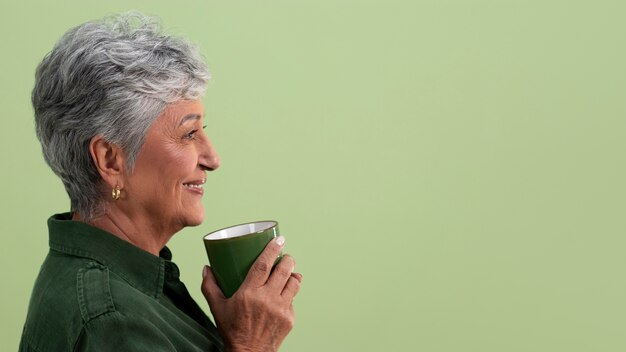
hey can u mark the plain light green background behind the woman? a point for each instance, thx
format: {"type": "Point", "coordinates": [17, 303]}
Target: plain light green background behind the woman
{"type": "Point", "coordinates": [449, 174]}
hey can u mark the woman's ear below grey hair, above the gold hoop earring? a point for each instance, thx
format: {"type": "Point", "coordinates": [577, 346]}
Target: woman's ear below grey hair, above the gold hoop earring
{"type": "Point", "coordinates": [109, 160]}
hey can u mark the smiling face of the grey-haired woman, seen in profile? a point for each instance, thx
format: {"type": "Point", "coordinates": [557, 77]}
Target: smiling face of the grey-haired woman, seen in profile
{"type": "Point", "coordinates": [166, 185]}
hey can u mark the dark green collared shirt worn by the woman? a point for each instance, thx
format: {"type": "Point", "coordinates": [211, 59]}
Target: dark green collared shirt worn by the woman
{"type": "Point", "coordinates": [96, 292]}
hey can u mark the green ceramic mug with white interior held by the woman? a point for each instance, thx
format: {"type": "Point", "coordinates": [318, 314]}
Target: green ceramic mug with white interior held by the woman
{"type": "Point", "coordinates": [233, 250]}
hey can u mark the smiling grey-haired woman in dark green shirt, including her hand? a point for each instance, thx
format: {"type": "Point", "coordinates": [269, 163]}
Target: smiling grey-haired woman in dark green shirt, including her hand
{"type": "Point", "coordinates": [118, 115]}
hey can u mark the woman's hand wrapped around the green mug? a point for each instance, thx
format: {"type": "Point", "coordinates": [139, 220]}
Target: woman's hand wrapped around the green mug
{"type": "Point", "coordinates": [260, 314]}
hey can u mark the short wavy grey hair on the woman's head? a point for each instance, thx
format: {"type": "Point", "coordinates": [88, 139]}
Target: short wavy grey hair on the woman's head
{"type": "Point", "coordinates": [111, 77]}
